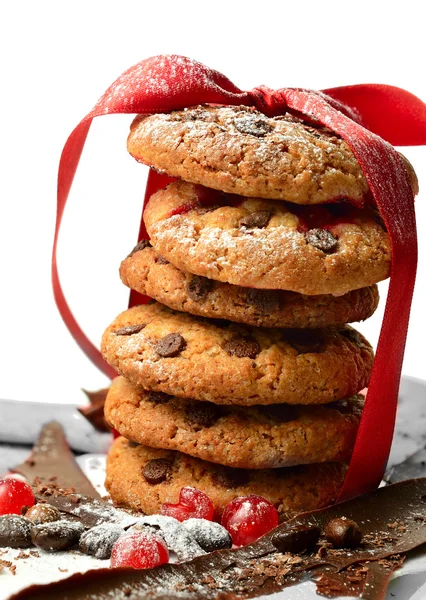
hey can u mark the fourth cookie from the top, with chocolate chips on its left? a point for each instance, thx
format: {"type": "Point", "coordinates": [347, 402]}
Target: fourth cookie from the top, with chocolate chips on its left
{"type": "Point", "coordinates": [228, 363]}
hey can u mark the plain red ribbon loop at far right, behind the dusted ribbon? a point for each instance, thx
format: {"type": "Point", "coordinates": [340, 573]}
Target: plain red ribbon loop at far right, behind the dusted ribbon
{"type": "Point", "coordinates": [391, 112]}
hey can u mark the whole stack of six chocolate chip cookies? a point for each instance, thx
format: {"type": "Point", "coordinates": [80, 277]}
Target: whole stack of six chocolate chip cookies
{"type": "Point", "coordinates": [242, 376]}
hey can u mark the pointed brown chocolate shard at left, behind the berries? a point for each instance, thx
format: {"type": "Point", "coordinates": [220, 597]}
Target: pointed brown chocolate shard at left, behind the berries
{"type": "Point", "coordinates": [52, 460]}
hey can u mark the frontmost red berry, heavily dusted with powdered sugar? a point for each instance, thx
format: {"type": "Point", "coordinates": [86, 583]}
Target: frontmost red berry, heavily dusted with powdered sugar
{"type": "Point", "coordinates": [139, 551]}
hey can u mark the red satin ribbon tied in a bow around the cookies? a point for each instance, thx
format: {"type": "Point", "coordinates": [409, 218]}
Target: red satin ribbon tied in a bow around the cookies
{"type": "Point", "coordinates": [362, 115]}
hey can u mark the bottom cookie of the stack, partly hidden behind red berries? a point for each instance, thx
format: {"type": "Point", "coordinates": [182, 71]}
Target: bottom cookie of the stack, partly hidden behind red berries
{"type": "Point", "coordinates": [143, 478]}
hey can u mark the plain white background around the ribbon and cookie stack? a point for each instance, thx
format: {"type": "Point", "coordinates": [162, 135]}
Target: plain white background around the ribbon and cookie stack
{"type": "Point", "coordinates": [58, 58]}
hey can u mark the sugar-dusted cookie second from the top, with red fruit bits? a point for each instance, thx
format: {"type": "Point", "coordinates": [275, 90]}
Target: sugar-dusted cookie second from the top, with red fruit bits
{"type": "Point", "coordinates": [250, 242]}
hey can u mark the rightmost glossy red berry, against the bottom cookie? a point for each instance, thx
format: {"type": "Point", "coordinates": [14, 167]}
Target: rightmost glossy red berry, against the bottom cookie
{"type": "Point", "coordinates": [247, 518]}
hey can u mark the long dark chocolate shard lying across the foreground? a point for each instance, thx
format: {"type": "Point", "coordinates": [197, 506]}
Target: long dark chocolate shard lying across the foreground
{"type": "Point", "coordinates": [258, 568]}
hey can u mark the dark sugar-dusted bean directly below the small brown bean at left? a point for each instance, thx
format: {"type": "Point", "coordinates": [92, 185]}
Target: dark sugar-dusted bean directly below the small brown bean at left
{"type": "Point", "coordinates": [56, 536]}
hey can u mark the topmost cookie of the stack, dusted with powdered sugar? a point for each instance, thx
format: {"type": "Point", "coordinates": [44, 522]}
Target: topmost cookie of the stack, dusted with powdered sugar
{"type": "Point", "coordinates": [239, 150]}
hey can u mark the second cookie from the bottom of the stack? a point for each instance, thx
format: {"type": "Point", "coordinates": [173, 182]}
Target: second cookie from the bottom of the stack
{"type": "Point", "coordinates": [257, 437]}
